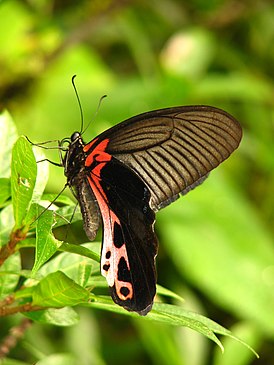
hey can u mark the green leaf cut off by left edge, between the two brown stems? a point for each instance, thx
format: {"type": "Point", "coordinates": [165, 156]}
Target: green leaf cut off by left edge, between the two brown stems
{"type": "Point", "coordinates": [9, 281]}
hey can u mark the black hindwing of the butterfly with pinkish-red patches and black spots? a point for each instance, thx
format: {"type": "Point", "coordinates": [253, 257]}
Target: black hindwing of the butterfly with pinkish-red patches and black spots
{"type": "Point", "coordinates": [129, 242]}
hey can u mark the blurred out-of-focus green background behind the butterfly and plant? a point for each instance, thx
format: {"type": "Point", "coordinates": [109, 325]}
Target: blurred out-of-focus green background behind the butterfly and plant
{"type": "Point", "coordinates": [216, 244]}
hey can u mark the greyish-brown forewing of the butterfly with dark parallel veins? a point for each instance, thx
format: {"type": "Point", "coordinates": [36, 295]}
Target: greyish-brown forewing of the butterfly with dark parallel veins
{"type": "Point", "coordinates": [174, 149]}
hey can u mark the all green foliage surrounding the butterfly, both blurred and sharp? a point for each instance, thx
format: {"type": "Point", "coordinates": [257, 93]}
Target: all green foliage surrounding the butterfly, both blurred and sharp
{"type": "Point", "coordinates": [216, 244]}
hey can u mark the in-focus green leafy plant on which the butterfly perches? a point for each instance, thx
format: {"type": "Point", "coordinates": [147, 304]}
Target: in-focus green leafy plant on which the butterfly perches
{"type": "Point", "coordinates": [61, 282]}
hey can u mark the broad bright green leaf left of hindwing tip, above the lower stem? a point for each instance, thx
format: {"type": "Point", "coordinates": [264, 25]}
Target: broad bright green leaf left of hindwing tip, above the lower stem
{"type": "Point", "coordinates": [57, 290]}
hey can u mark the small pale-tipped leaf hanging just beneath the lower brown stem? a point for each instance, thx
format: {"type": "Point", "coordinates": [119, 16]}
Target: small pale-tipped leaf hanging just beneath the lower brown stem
{"type": "Point", "coordinates": [58, 317]}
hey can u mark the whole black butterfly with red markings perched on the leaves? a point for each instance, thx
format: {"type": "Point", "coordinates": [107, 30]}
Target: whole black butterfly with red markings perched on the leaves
{"type": "Point", "coordinates": [132, 170]}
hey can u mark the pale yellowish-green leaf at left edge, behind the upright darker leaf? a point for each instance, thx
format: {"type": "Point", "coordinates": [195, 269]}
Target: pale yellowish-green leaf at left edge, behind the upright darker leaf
{"type": "Point", "coordinates": [8, 135]}
